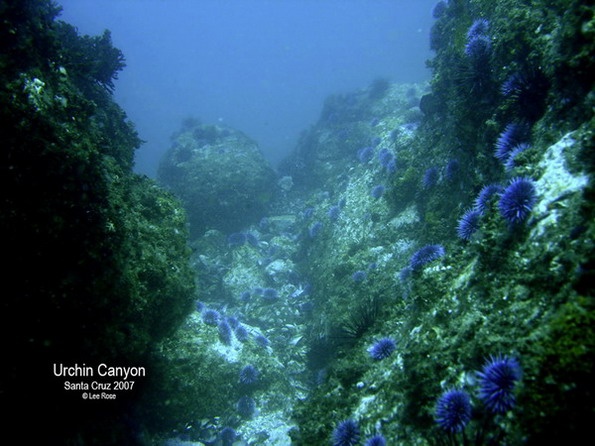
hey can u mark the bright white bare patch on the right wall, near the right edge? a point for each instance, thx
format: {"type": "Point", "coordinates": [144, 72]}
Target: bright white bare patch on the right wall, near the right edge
{"type": "Point", "coordinates": [555, 182]}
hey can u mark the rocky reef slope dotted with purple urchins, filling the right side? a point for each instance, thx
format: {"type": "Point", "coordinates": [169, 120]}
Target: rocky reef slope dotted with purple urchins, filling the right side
{"type": "Point", "coordinates": [423, 274]}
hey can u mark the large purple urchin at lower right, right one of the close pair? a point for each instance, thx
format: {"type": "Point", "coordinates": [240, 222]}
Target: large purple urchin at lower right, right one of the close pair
{"type": "Point", "coordinates": [497, 381]}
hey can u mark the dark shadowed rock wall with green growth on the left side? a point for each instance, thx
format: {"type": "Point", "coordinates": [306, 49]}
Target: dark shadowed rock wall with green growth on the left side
{"type": "Point", "coordinates": [96, 264]}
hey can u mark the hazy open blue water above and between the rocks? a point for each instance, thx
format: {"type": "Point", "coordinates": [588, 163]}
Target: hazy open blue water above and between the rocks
{"type": "Point", "coordinates": [261, 66]}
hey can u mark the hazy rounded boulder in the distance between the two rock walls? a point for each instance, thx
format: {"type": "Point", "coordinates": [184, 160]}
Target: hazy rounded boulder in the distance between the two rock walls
{"type": "Point", "coordinates": [220, 175]}
